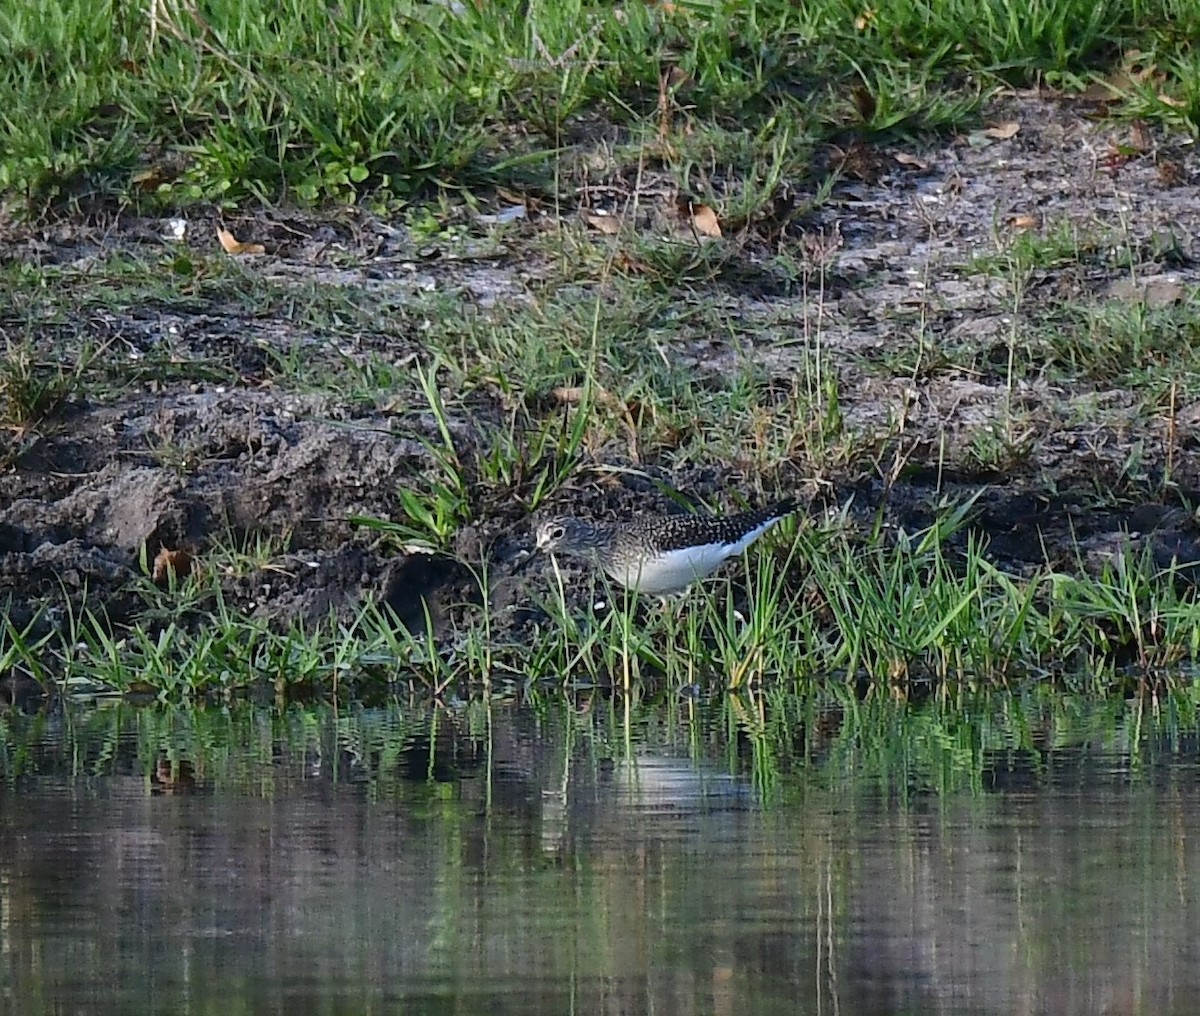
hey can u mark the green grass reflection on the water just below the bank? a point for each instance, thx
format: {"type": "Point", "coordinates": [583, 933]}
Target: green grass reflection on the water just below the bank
{"type": "Point", "coordinates": [777, 742]}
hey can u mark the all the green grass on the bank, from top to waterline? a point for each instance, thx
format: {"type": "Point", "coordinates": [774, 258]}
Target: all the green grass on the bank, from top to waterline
{"type": "Point", "coordinates": [634, 357]}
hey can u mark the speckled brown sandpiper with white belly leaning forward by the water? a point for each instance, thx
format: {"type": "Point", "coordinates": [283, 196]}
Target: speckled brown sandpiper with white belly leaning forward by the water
{"type": "Point", "coordinates": [661, 555]}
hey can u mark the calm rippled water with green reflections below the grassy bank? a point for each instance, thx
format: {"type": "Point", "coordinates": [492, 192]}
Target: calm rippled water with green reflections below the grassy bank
{"type": "Point", "coordinates": [673, 859]}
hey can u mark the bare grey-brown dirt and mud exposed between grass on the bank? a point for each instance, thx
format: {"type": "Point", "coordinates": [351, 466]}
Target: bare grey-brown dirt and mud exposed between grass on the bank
{"type": "Point", "coordinates": [896, 284]}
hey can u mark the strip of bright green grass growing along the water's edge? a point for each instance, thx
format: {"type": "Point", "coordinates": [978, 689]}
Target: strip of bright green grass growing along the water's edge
{"type": "Point", "coordinates": [829, 604]}
